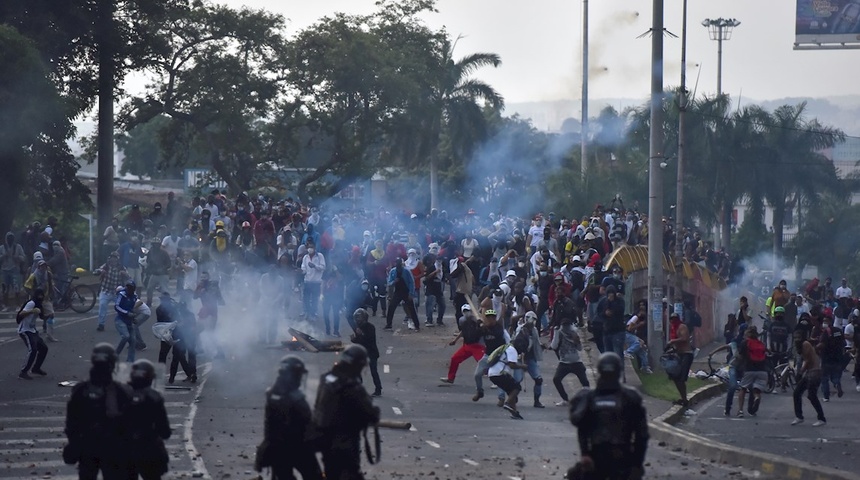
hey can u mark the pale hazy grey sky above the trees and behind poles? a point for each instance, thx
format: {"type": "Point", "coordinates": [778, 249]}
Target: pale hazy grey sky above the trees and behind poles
{"type": "Point", "coordinates": [540, 45]}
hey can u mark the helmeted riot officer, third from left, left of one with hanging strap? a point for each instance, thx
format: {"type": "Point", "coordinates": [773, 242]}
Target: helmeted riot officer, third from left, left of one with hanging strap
{"type": "Point", "coordinates": [287, 423]}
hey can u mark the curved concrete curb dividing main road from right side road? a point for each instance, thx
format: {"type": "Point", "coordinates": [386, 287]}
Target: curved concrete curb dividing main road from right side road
{"type": "Point", "coordinates": [663, 430]}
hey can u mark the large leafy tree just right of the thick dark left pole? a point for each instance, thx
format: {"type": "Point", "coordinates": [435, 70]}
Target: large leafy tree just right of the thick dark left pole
{"type": "Point", "coordinates": [217, 78]}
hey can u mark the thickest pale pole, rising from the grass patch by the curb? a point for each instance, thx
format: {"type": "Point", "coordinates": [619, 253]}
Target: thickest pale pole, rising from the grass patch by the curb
{"type": "Point", "coordinates": [655, 187]}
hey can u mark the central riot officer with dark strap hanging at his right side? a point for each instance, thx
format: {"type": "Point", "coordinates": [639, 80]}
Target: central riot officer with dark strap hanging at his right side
{"type": "Point", "coordinates": [342, 411]}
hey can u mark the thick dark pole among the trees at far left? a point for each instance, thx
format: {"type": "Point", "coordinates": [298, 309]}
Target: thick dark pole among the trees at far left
{"type": "Point", "coordinates": [104, 182]}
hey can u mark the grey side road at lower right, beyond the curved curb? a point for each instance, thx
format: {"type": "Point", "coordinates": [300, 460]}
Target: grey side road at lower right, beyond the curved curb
{"type": "Point", "coordinates": [835, 444]}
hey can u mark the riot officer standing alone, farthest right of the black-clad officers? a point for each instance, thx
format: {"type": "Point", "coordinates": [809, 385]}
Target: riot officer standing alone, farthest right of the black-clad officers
{"type": "Point", "coordinates": [611, 425]}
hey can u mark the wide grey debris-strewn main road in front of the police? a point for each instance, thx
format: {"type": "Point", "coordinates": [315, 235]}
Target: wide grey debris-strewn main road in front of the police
{"type": "Point", "coordinates": [218, 423]}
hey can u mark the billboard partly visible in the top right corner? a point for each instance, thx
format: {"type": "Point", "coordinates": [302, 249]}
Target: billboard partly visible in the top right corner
{"type": "Point", "coordinates": [827, 22]}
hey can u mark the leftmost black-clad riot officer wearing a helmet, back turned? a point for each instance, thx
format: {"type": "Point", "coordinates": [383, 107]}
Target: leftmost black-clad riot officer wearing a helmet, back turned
{"type": "Point", "coordinates": [96, 421]}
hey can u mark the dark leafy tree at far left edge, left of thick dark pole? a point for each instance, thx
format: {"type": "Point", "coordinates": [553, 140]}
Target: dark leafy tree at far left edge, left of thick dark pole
{"type": "Point", "coordinates": [34, 157]}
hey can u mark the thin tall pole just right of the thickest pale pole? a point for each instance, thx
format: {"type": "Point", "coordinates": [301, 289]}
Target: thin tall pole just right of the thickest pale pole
{"type": "Point", "coordinates": [679, 183]}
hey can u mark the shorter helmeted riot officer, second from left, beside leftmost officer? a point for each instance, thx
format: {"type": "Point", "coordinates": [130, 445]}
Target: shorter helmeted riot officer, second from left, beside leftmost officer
{"type": "Point", "coordinates": [148, 425]}
